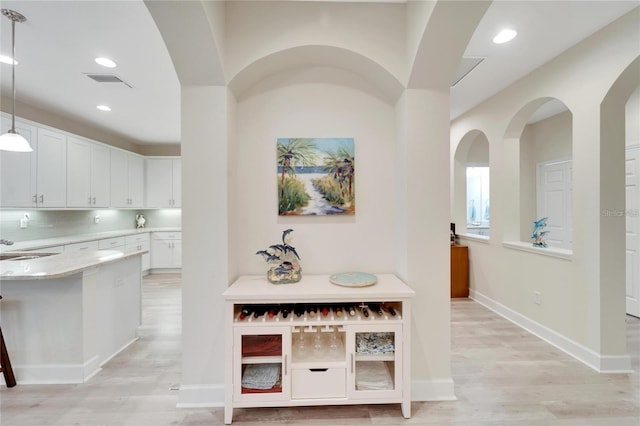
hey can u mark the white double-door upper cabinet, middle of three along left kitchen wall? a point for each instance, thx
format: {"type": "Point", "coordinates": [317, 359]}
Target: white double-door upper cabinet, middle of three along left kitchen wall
{"type": "Point", "coordinates": [87, 173]}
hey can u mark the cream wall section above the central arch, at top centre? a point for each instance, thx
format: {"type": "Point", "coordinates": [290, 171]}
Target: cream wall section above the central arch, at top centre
{"type": "Point", "coordinates": [259, 29]}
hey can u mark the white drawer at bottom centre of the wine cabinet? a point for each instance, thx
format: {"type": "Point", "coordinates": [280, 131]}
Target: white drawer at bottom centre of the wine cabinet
{"type": "Point", "coordinates": [318, 383]}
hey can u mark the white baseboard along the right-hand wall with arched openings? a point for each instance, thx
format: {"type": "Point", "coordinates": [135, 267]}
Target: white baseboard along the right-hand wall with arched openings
{"type": "Point", "coordinates": [594, 360]}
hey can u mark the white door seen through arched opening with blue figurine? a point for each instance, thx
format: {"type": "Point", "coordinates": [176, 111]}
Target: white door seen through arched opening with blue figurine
{"type": "Point", "coordinates": [554, 200]}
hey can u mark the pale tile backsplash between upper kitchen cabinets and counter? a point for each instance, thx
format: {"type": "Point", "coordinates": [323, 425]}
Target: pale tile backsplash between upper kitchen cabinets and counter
{"type": "Point", "coordinates": [61, 223]}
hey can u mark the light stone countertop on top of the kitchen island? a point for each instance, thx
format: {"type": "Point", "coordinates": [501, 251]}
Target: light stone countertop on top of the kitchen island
{"type": "Point", "coordinates": [59, 265]}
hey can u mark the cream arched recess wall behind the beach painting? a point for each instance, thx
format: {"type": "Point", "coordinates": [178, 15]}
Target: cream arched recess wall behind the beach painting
{"type": "Point", "coordinates": [311, 103]}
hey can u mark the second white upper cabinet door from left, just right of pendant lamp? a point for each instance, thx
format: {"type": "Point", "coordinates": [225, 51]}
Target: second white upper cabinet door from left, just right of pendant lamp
{"type": "Point", "coordinates": [52, 169]}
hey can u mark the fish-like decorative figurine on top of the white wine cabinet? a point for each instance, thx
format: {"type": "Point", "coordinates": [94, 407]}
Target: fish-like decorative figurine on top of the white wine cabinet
{"type": "Point", "coordinates": [284, 261]}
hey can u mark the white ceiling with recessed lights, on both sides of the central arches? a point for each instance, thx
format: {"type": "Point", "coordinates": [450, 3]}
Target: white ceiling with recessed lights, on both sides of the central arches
{"type": "Point", "coordinates": [60, 39]}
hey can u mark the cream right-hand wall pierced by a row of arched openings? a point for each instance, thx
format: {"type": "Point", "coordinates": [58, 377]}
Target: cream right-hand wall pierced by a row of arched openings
{"type": "Point", "coordinates": [573, 308]}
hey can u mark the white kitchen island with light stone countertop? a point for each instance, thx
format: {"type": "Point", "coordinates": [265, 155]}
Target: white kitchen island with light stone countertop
{"type": "Point", "coordinates": [64, 315]}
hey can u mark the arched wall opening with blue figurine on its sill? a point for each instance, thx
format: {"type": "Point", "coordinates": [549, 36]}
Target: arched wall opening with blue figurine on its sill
{"type": "Point", "coordinates": [545, 178]}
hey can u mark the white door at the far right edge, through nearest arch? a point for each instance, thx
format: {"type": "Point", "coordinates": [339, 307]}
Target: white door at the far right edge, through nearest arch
{"type": "Point", "coordinates": [632, 214]}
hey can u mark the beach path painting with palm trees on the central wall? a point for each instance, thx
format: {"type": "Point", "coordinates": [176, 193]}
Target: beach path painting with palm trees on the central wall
{"type": "Point", "coordinates": [316, 176]}
